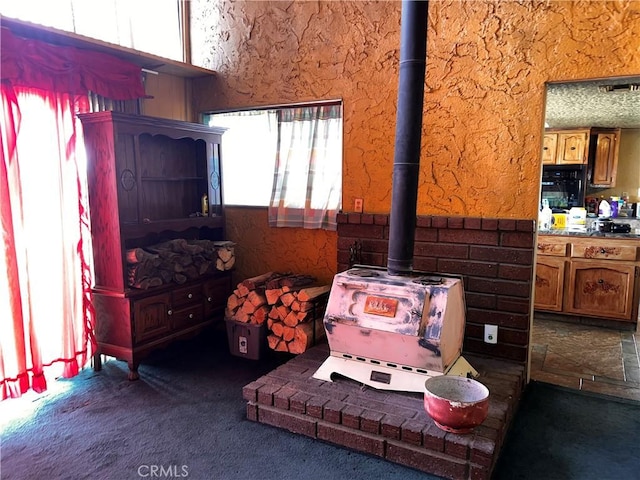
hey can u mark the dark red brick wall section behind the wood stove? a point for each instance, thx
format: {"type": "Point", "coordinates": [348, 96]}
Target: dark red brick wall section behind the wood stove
{"type": "Point", "coordinates": [494, 256]}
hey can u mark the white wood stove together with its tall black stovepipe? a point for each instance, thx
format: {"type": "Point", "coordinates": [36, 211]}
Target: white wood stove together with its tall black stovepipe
{"type": "Point", "coordinates": [394, 329]}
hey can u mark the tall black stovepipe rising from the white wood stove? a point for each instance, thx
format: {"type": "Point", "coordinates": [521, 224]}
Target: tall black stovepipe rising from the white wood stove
{"type": "Point", "coordinates": [413, 49]}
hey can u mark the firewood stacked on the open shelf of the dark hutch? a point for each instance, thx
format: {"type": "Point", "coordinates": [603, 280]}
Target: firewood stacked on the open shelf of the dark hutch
{"type": "Point", "coordinates": [177, 261]}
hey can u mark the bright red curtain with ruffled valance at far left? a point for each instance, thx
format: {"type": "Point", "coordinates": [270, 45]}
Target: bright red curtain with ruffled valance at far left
{"type": "Point", "coordinates": [46, 315]}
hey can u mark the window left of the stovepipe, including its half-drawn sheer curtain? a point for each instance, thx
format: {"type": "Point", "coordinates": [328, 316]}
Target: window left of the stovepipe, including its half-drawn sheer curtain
{"type": "Point", "coordinates": [288, 158]}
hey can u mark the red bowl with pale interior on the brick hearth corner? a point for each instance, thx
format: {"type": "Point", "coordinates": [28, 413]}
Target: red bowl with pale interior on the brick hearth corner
{"type": "Point", "coordinates": [456, 404]}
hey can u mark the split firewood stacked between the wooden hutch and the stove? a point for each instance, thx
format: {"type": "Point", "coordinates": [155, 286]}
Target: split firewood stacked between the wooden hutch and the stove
{"type": "Point", "coordinates": [290, 305]}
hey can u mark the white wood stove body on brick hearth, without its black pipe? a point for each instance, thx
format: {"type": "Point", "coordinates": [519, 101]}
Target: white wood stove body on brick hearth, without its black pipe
{"type": "Point", "coordinates": [394, 332]}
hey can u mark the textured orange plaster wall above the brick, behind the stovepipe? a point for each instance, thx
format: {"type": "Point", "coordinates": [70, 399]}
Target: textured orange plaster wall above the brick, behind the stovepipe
{"type": "Point", "coordinates": [487, 65]}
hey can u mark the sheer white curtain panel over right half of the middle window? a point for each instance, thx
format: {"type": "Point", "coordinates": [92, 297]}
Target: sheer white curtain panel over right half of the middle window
{"type": "Point", "coordinates": [307, 182]}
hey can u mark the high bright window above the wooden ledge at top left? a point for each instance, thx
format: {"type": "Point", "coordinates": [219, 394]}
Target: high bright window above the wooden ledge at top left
{"type": "Point", "coordinates": [152, 26]}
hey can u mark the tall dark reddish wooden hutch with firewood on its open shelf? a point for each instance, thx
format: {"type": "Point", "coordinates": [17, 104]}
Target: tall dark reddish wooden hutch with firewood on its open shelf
{"type": "Point", "coordinates": [151, 180]}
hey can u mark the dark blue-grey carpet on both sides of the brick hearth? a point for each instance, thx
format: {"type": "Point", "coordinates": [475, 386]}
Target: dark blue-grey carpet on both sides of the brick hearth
{"type": "Point", "coordinates": [185, 418]}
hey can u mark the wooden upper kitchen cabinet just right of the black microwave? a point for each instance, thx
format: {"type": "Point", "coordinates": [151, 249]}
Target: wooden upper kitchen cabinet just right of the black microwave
{"type": "Point", "coordinates": [604, 157]}
